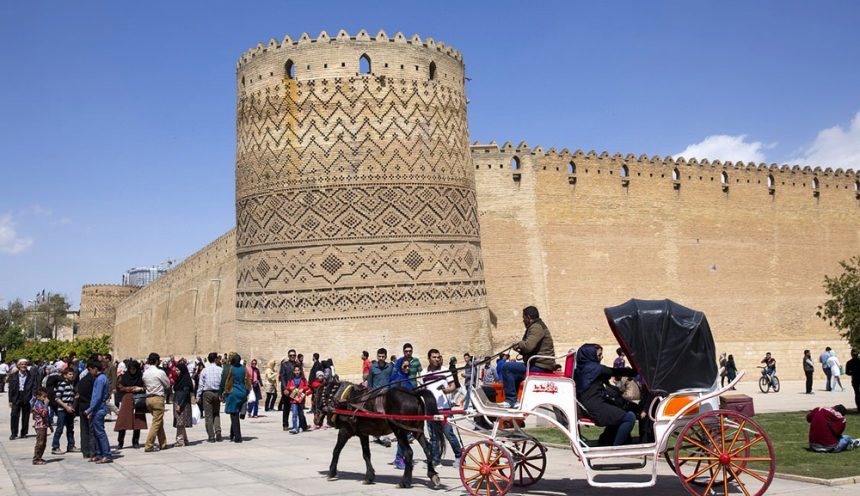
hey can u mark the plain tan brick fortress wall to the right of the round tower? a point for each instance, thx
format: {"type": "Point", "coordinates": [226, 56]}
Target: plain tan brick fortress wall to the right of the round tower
{"type": "Point", "coordinates": [747, 244]}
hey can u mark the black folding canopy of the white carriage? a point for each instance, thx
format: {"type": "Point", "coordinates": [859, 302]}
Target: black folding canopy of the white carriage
{"type": "Point", "coordinates": [670, 345]}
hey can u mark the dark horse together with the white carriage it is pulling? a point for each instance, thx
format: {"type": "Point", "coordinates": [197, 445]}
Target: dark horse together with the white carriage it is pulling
{"type": "Point", "coordinates": [712, 450]}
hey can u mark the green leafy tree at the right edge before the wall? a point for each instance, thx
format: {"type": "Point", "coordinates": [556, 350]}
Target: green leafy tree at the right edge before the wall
{"type": "Point", "coordinates": [842, 310]}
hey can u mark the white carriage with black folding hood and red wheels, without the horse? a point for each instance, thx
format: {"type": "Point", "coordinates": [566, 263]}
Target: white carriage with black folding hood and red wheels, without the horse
{"type": "Point", "coordinates": [712, 451]}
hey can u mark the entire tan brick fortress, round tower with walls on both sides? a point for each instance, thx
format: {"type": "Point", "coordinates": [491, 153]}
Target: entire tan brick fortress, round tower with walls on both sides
{"type": "Point", "coordinates": [364, 219]}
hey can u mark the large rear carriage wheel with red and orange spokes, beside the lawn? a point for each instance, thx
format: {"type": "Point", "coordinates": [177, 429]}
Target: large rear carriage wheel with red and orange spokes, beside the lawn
{"type": "Point", "coordinates": [724, 452]}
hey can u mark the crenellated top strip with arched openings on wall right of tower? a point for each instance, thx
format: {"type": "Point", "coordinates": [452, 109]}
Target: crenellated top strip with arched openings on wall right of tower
{"type": "Point", "coordinates": [523, 158]}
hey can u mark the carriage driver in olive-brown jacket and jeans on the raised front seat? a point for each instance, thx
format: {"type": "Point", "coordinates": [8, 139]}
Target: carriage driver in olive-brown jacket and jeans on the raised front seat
{"type": "Point", "coordinates": [536, 341]}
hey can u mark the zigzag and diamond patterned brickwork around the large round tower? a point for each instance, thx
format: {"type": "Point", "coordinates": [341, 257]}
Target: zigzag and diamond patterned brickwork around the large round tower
{"type": "Point", "coordinates": [355, 198]}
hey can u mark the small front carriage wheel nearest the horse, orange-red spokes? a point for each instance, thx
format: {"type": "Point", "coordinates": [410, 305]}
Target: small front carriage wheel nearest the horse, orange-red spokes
{"type": "Point", "coordinates": [486, 469]}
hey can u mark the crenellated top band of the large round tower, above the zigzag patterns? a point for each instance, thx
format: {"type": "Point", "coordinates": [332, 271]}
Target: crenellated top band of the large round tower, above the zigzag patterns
{"type": "Point", "coordinates": [344, 56]}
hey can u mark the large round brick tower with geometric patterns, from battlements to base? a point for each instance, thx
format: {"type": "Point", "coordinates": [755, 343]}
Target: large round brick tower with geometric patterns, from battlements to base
{"type": "Point", "coordinates": [355, 198]}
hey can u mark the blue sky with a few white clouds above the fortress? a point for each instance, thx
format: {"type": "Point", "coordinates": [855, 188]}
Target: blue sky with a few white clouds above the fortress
{"type": "Point", "coordinates": [118, 118]}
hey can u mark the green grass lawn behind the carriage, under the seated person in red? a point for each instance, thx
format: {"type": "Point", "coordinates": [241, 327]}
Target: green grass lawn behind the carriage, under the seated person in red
{"type": "Point", "coordinates": [788, 434]}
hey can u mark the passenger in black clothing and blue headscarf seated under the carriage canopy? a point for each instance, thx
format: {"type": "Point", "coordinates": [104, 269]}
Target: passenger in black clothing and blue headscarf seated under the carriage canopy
{"type": "Point", "coordinates": [604, 403]}
